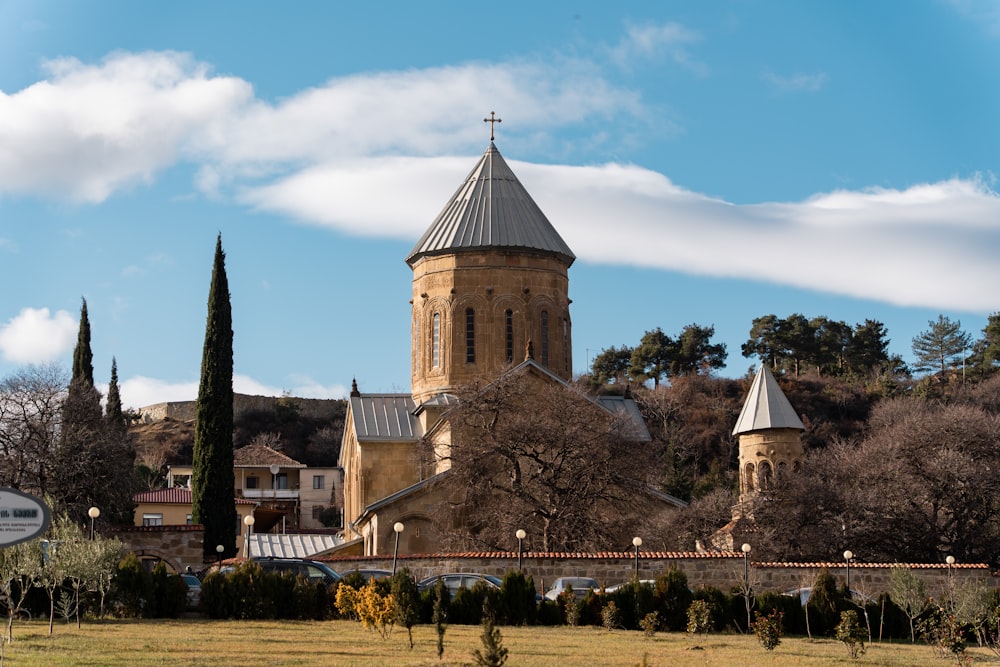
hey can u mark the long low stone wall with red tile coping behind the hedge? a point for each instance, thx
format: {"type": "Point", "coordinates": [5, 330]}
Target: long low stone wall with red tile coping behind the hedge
{"type": "Point", "coordinates": [722, 570]}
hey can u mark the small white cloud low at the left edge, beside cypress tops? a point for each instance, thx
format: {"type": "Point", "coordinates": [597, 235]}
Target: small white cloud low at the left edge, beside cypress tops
{"type": "Point", "coordinates": [36, 336]}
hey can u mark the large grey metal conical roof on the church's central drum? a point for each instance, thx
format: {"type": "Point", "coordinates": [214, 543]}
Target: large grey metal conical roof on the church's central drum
{"type": "Point", "coordinates": [491, 209]}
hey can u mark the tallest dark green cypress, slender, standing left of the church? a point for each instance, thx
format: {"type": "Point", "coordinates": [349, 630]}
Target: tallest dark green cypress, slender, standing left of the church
{"type": "Point", "coordinates": [212, 486]}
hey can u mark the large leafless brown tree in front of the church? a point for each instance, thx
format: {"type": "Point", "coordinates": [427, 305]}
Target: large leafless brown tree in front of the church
{"type": "Point", "coordinates": [529, 453]}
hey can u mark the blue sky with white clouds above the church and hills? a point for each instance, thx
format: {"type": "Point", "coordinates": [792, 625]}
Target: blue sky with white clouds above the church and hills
{"type": "Point", "coordinates": [707, 162]}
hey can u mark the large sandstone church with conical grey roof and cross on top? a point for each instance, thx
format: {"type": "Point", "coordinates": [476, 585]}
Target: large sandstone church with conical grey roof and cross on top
{"type": "Point", "coordinates": [490, 296]}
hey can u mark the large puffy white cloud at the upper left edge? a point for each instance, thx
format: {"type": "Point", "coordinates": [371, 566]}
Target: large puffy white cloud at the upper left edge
{"type": "Point", "coordinates": [88, 130]}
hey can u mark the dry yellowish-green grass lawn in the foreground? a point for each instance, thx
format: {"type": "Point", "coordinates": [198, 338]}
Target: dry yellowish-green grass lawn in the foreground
{"type": "Point", "coordinates": [204, 643]}
